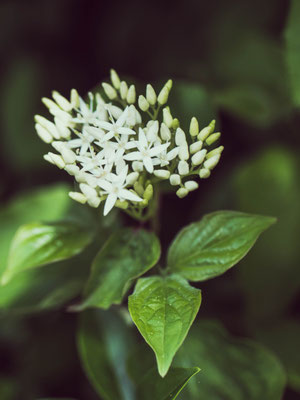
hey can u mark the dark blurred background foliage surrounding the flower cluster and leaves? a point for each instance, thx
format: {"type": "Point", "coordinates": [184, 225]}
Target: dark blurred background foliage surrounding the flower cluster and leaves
{"type": "Point", "coordinates": [238, 62]}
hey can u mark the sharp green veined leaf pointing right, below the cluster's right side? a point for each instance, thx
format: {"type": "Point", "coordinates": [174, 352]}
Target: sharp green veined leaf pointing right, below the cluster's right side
{"type": "Point", "coordinates": [208, 248]}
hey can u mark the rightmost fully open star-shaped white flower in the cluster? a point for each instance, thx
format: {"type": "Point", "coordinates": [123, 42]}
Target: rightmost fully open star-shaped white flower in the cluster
{"type": "Point", "coordinates": [146, 152]}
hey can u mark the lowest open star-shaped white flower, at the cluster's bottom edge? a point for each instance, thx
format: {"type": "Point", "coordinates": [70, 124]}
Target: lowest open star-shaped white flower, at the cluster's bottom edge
{"type": "Point", "coordinates": [116, 190]}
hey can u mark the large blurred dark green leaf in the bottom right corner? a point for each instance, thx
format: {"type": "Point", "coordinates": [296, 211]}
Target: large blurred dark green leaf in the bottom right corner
{"type": "Point", "coordinates": [235, 369]}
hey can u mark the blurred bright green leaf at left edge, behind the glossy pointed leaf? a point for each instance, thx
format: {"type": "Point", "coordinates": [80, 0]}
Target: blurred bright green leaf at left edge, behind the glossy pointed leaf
{"type": "Point", "coordinates": [48, 203]}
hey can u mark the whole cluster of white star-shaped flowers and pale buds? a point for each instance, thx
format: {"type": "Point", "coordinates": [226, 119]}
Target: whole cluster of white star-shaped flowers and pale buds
{"type": "Point", "coordinates": [115, 156]}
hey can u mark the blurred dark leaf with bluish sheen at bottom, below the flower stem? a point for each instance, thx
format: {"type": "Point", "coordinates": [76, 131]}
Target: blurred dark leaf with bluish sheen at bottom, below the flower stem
{"type": "Point", "coordinates": [104, 342]}
